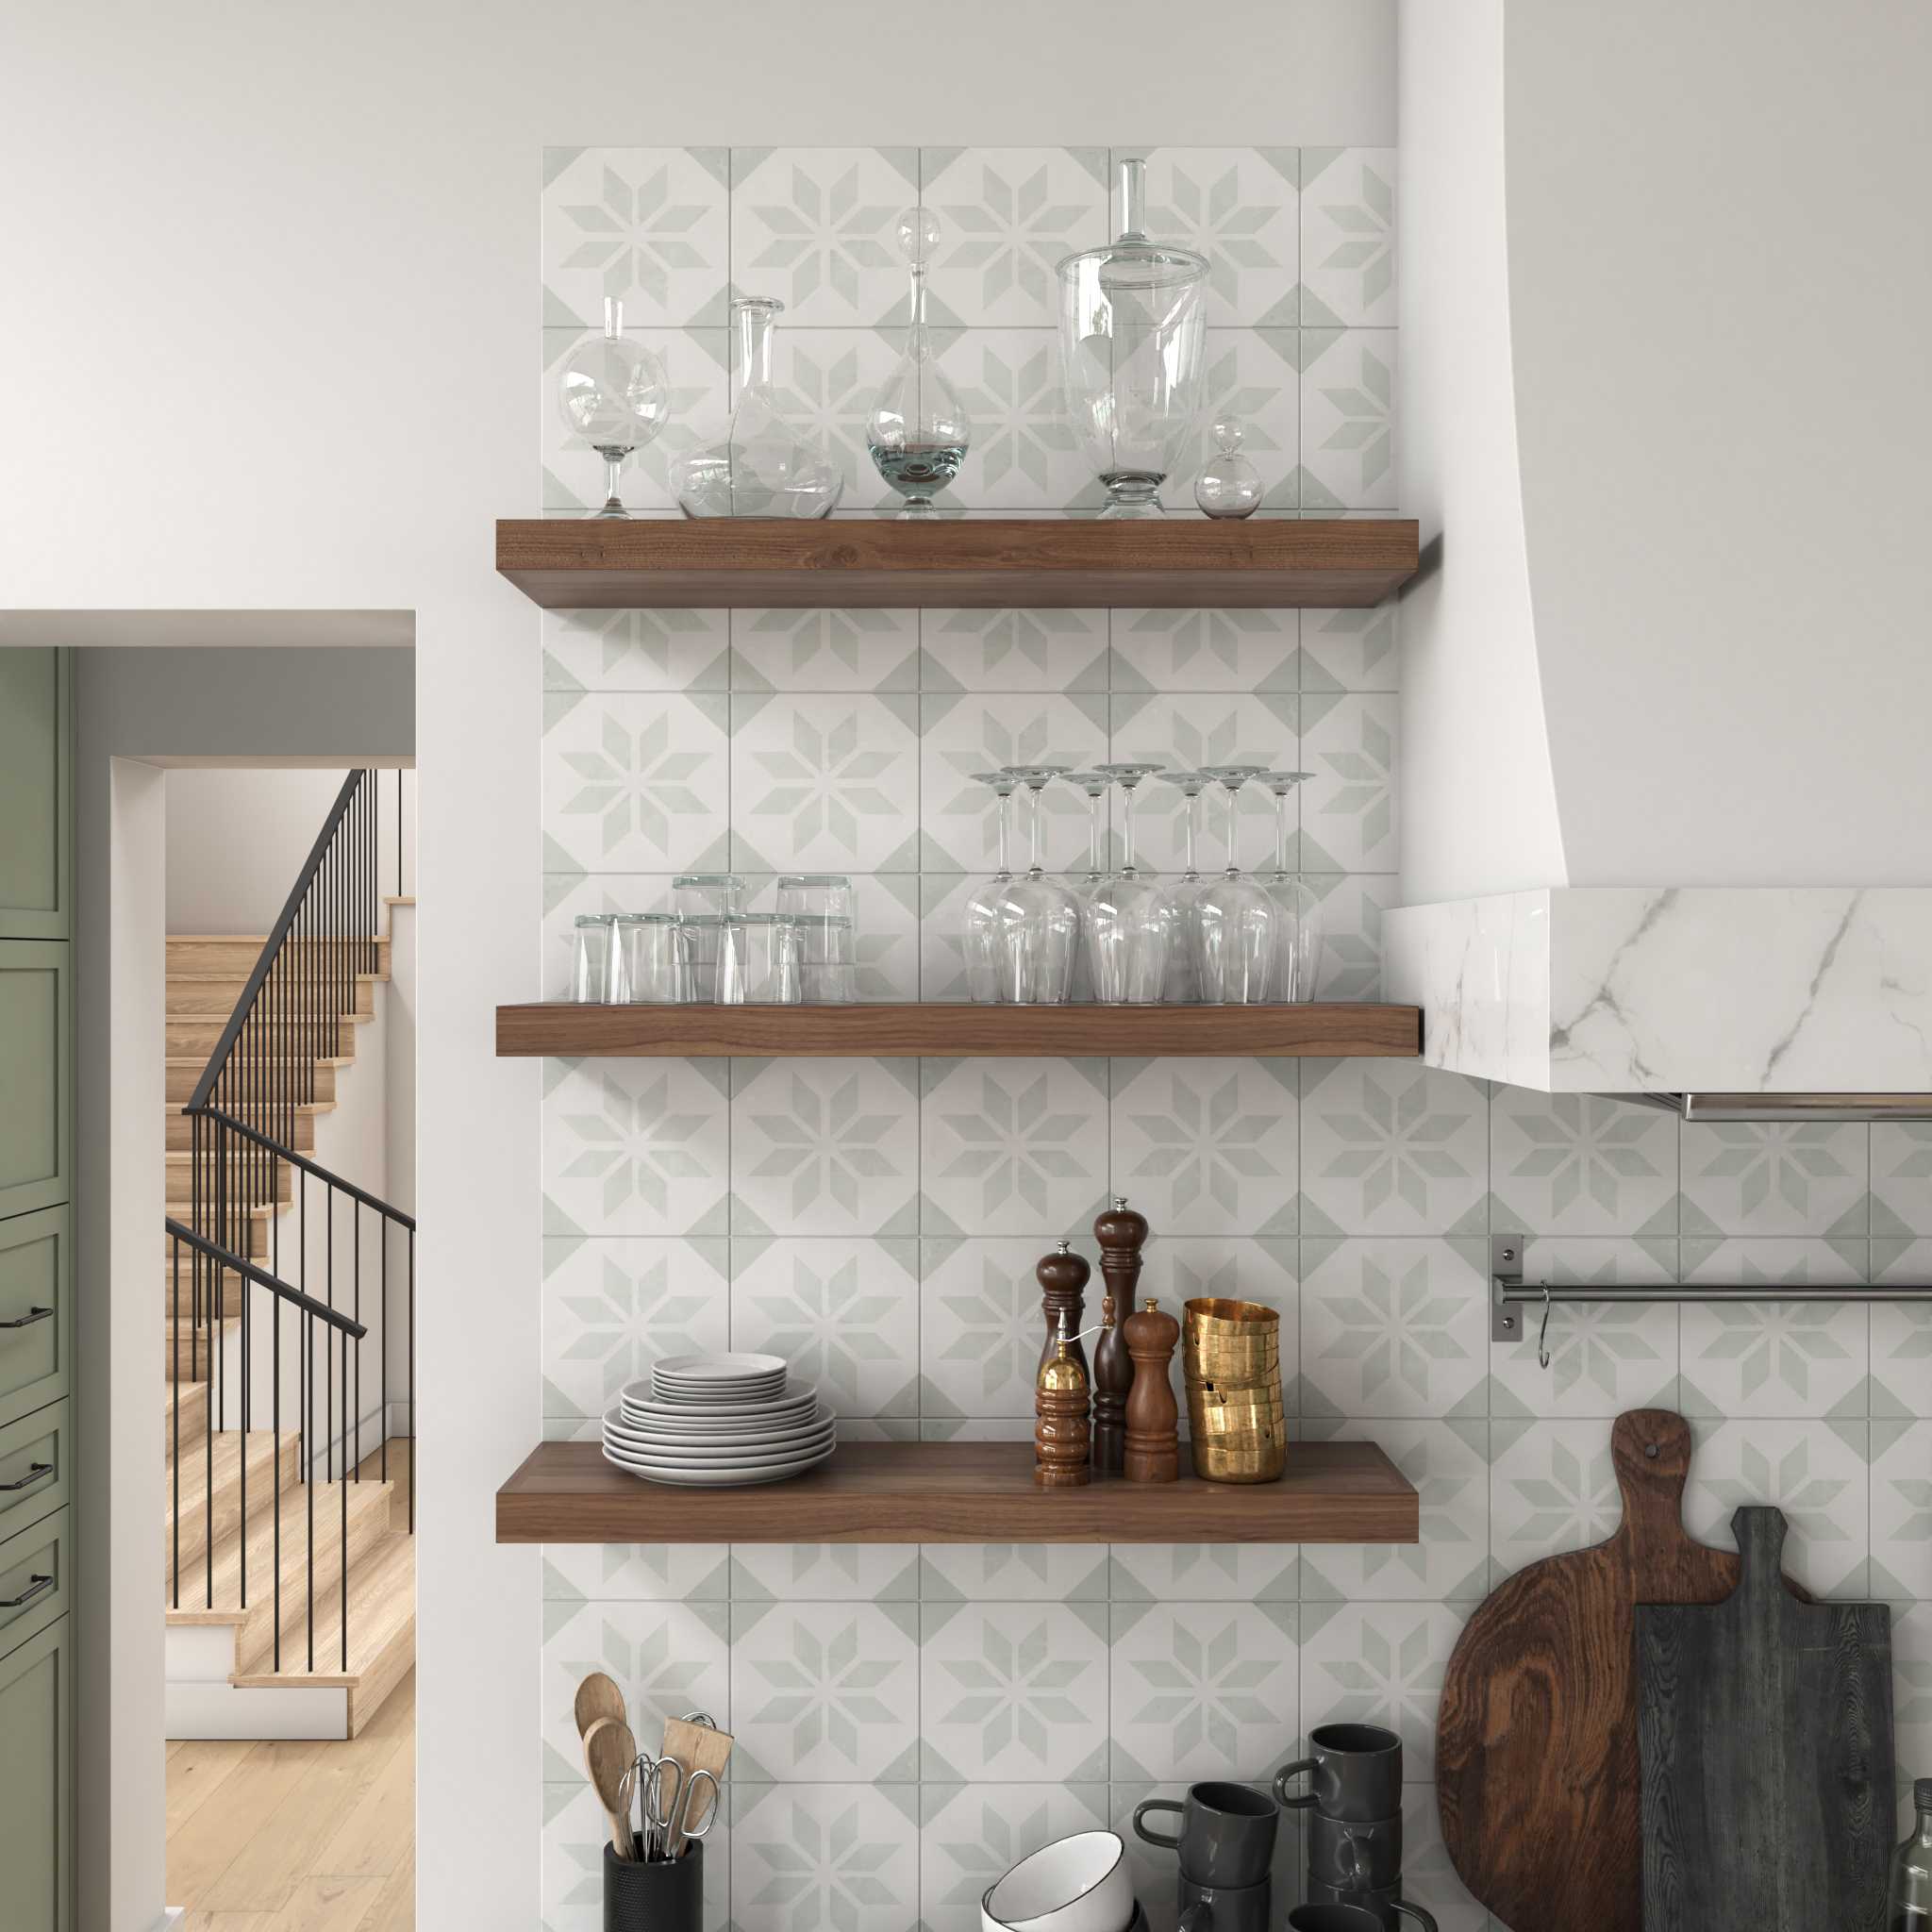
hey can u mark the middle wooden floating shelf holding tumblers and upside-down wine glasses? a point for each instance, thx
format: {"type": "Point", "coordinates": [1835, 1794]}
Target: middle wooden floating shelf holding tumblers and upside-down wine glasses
{"type": "Point", "coordinates": [1321, 1031]}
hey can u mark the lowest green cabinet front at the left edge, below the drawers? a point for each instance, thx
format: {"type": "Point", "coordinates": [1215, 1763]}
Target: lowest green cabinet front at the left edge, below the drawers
{"type": "Point", "coordinates": [36, 1784]}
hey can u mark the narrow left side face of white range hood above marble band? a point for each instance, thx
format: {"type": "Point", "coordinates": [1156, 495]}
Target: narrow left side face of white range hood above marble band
{"type": "Point", "coordinates": [1479, 803]}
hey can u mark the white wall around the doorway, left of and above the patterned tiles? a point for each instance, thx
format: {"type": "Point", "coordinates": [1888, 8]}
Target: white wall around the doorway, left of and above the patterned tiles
{"type": "Point", "coordinates": [320, 231]}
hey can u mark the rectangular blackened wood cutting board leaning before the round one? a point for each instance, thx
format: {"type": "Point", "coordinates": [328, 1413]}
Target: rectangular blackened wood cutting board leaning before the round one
{"type": "Point", "coordinates": [1765, 1736]}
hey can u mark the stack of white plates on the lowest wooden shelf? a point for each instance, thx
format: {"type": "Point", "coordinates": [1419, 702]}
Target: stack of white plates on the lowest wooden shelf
{"type": "Point", "coordinates": [720, 1421]}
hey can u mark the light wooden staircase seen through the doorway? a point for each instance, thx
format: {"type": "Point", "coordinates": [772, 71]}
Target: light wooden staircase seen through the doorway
{"type": "Point", "coordinates": [241, 1659]}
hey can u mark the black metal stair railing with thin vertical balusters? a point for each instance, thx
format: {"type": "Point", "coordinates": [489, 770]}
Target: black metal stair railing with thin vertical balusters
{"type": "Point", "coordinates": [248, 1181]}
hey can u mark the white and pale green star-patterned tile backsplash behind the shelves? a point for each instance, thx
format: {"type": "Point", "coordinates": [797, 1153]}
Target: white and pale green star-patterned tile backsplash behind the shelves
{"type": "Point", "coordinates": [913, 1719]}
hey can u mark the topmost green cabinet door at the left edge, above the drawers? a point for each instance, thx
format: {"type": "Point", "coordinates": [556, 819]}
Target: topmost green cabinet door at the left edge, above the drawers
{"type": "Point", "coordinates": [36, 795]}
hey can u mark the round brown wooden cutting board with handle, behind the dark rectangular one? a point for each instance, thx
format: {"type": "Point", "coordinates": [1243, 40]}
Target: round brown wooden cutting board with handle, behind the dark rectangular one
{"type": "Point", "coordinates": [1537, 1769]}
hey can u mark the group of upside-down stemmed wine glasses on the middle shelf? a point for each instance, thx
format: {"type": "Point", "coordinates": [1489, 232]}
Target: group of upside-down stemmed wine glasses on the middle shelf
{"type": "Point", "coordinates": [1125, 938]}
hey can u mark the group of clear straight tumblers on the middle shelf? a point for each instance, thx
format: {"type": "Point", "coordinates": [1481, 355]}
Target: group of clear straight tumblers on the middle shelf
{"type": "Point", "coordinates": [708, 950]}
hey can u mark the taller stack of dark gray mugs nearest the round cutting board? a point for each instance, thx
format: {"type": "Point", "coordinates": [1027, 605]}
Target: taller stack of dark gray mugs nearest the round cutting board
{"type": "Point", "coordinates": [1355, 1831]}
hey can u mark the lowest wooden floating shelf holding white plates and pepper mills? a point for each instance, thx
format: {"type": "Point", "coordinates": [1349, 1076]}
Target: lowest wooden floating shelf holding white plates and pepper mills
{"type": "Point", "coordinates": [959, 1494]}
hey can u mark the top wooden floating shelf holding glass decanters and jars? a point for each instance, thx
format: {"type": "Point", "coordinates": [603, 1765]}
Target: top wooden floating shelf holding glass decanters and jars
{"type": "Point", "coordinates": [980, 563]}
